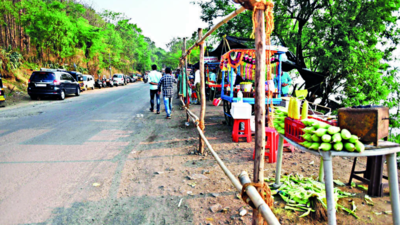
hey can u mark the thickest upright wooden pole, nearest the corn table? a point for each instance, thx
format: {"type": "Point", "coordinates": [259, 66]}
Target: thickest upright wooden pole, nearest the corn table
{"type": "Point", "coordinates": [259, 107]}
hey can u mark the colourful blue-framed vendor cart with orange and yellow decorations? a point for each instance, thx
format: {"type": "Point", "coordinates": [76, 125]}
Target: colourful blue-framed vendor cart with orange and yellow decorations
{"type": "Point", "coordinates": [243, 60]}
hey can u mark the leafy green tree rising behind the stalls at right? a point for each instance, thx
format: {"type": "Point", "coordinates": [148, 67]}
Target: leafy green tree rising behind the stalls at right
{"type": "Point", "coordinates": [349, 41]}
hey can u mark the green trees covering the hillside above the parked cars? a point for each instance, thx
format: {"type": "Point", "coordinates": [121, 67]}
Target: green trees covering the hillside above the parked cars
{"type": "Point", "coordinates": [64, 33]}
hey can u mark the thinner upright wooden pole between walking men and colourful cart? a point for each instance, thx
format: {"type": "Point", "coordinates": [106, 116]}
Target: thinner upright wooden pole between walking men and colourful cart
{"type": "Point", "coordinates": [202, 92]}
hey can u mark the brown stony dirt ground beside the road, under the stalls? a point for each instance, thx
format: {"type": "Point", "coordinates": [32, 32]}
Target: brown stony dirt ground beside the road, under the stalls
{"type": "Point", "coordinates": [173, 162]}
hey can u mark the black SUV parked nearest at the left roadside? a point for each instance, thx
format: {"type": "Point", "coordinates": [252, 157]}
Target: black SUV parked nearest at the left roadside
{"type": "Point", "coordinates": [52, 83]}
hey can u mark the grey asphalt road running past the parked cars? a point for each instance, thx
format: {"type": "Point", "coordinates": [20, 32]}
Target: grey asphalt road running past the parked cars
{"type": "Point", "coordinates": [58, 157]}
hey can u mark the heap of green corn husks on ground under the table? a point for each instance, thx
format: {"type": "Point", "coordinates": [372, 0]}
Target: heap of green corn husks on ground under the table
{"type": "Point", "coordinates": [302, 193]}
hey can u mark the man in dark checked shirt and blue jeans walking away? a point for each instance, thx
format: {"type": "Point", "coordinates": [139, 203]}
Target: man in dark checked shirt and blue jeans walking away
{"type": "Point", "coordinates": [166, 83]}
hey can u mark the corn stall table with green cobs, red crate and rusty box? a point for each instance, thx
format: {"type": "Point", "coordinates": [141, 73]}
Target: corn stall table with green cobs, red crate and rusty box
{"type": "Point", "coordinates": [359, 131]}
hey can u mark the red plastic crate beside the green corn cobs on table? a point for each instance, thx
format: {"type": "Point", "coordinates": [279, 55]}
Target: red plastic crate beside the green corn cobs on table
{"type": "Point", "coordinates": [294, 128]}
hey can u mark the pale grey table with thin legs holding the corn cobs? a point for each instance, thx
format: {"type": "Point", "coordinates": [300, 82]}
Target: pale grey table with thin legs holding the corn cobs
{"type": "Point", "coordinates": [388, 149]}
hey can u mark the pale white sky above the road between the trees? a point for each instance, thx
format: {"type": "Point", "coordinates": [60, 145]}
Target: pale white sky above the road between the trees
{"type": "Point", "coordinates": [160, 20]}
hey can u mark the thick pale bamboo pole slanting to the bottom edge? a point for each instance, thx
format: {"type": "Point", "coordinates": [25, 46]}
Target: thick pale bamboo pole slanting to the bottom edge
{"type": "Point", "coordinates": [260, 204]}
